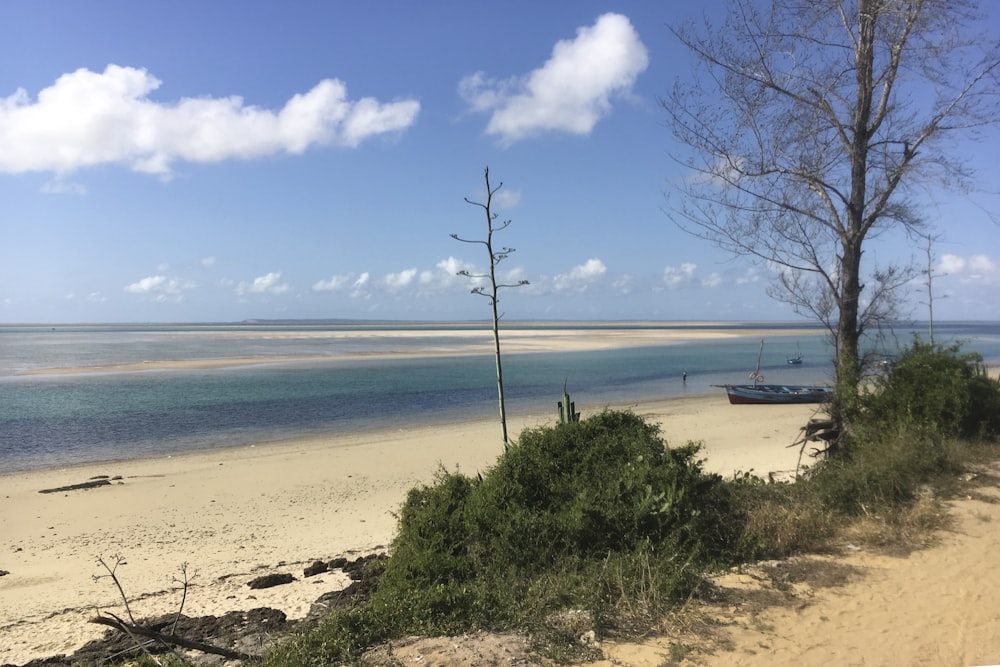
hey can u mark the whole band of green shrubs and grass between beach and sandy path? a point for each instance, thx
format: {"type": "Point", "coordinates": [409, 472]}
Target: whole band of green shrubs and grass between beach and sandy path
{"type": "Point", "coordinates": [601, 516]}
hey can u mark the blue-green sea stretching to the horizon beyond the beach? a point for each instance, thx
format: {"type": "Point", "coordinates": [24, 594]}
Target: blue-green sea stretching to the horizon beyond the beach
{"type": "Point", "coordinates": [359, 380]}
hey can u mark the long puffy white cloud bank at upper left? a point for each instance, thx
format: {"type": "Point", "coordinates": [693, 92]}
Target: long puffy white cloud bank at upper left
{"type": "Point", "coordinates": [88, 118]}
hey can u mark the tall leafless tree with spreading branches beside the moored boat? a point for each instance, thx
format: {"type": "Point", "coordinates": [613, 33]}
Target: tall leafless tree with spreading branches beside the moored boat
{"type": "Point", "coordinates": [811, 126]}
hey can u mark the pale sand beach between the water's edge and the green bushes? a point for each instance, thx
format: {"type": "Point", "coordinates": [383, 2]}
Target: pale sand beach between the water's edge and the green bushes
{"type": "Point", "coordinates": [238, 513]}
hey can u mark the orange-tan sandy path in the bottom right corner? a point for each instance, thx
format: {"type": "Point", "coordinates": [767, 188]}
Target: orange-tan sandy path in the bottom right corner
{"type": "Point", "coordinates": [935, 607]}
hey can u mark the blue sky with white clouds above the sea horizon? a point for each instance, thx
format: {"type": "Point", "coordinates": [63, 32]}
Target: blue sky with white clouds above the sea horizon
{"type": "Point", "coordinates": [226, 160]}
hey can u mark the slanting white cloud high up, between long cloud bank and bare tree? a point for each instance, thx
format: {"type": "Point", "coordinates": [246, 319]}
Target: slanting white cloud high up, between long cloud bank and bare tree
{"type": "Point", "coordinates": [571, 92]}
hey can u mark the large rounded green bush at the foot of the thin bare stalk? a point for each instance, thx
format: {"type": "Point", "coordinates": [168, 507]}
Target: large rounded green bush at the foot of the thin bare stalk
{"type": "Point", "coordinates": [555, 524]}
